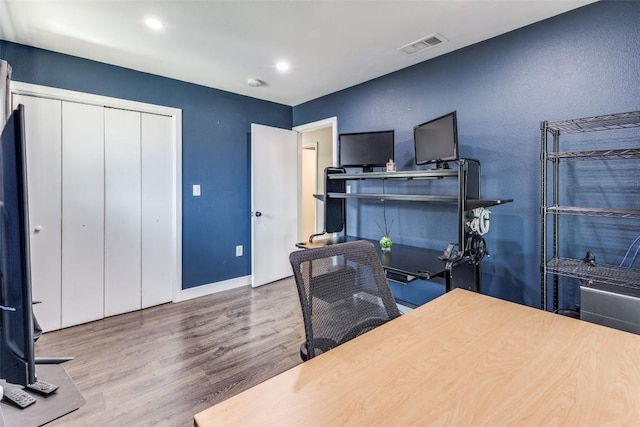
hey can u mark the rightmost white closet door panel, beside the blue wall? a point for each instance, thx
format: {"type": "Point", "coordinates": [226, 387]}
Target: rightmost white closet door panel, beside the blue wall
{"type": "Point", "coordinates": [158, 222]}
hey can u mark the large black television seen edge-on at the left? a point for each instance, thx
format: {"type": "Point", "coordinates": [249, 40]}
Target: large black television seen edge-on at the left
{"type": "Point", "coordinates": [17, 359]}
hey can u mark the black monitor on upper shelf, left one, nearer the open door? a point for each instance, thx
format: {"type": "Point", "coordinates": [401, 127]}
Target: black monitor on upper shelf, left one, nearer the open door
{"type": "Point", "coordinates": [365, 150]}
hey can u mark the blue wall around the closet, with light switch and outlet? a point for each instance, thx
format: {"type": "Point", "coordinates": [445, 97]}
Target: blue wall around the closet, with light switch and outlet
{"type": "Point", "coordinates": [215, 150]}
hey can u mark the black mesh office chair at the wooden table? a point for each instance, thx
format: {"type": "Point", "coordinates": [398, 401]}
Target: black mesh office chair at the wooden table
{"type": "Point", "coordinates": [343, 292]}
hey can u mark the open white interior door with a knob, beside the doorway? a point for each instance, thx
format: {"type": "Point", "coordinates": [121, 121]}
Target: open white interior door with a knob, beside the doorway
{"type": "Point", "coordinates": [274, 172]}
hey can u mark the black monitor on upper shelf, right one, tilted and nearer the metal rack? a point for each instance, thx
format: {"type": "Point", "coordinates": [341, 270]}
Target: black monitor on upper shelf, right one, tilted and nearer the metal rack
{"type": "Point", "coordinates": [436, 141]}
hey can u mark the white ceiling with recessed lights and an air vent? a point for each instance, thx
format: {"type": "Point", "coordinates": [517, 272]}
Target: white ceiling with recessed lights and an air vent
{"type": "Point", "coordinates": [330, 45]}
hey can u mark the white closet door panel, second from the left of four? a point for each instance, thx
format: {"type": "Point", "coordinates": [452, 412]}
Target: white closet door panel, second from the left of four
{"type": "Point", "coordinates": [82, 213]}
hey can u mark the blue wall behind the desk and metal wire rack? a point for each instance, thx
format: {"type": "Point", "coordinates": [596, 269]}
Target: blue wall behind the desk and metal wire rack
{"type": "Point", "coordinates": [582, 63]}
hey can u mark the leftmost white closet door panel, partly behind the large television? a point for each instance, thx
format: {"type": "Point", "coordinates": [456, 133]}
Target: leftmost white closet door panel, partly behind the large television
{"type": "Point", "coordinates": [43, 140]}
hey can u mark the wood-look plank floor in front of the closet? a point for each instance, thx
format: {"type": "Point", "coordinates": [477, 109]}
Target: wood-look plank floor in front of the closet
{"type": "Point", "coordinates": [162, 365]}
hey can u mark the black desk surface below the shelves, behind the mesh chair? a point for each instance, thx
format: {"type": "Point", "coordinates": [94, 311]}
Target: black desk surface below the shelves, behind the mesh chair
{"type": "Point", "coordinates": [405, 263]}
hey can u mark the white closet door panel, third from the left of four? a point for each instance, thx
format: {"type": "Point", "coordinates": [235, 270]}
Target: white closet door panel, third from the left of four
{"type": "Point", "coordinates": [122, 268]}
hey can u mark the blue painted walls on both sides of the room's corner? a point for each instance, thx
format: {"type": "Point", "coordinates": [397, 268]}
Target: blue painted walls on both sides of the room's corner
{"type": "Point", "coordinates": [582, 63]}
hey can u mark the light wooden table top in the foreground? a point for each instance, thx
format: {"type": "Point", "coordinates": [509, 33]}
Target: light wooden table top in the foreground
{"type": "Point", "coordinates": [463, 359]}
